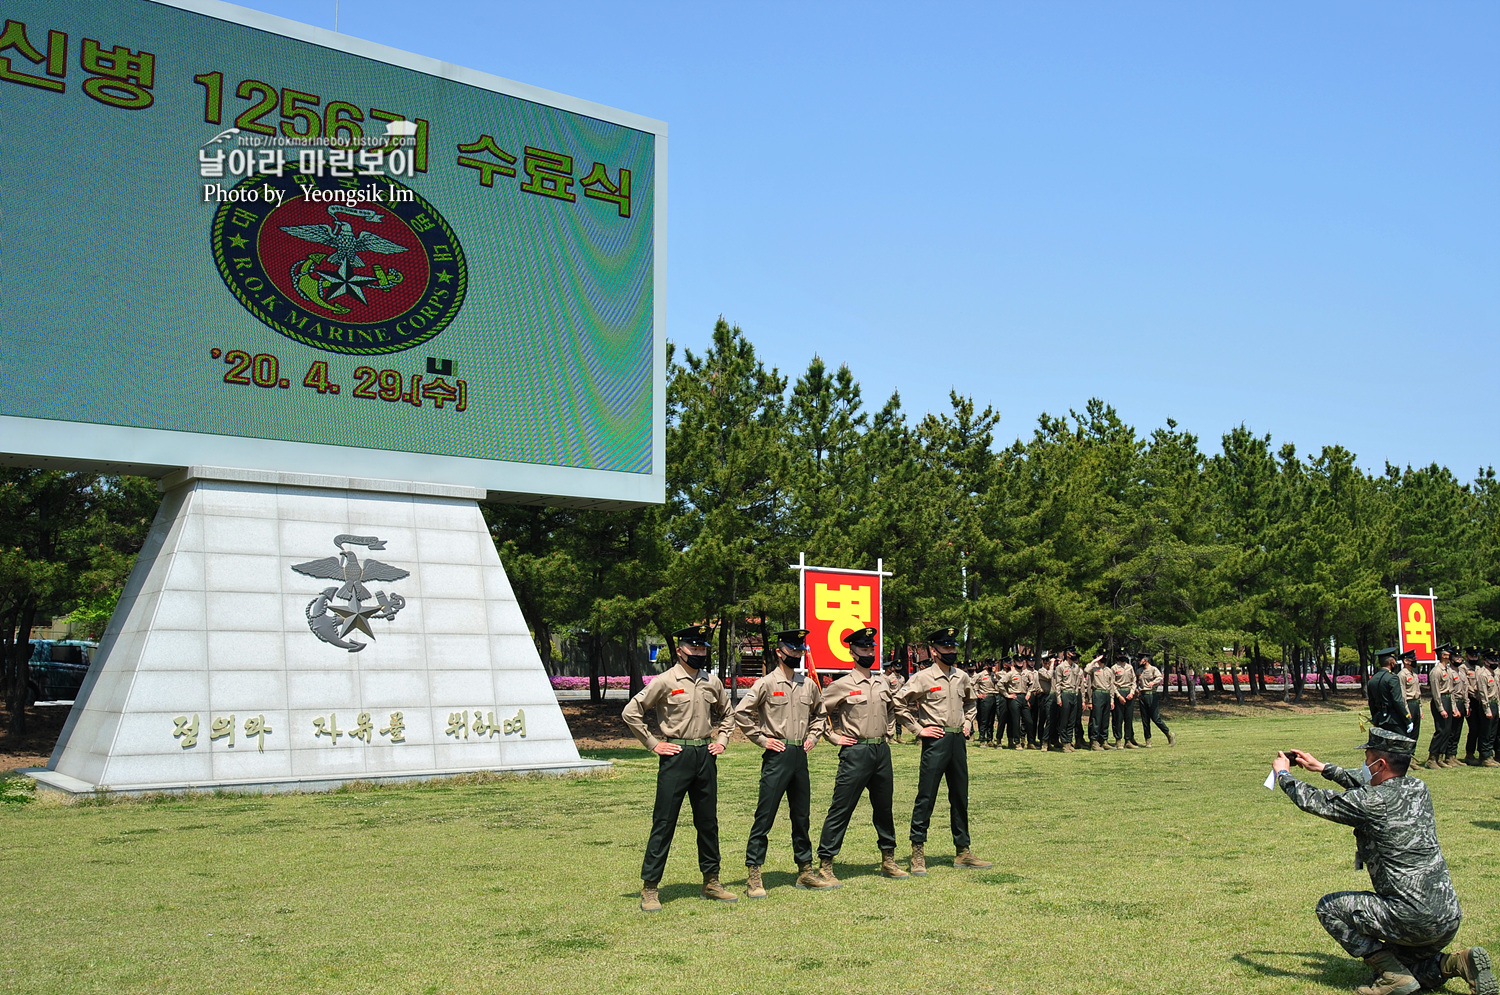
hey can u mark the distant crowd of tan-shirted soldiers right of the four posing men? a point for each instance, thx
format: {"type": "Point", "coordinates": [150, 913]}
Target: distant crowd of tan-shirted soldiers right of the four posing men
{"type": "Point", "coordinates": [1031, 705]}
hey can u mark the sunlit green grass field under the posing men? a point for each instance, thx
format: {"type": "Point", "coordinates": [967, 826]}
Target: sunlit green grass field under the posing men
{"type": "Point", "coordinates": [1162, 871]}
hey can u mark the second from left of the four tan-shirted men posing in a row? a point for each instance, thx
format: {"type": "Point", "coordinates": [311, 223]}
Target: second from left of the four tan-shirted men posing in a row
{"type": "Point", "coordinates": [784, 715]}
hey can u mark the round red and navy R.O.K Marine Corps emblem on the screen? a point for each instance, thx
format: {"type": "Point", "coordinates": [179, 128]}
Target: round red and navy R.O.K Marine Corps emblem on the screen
{"type": "Point", "coordinates": [347, 265]}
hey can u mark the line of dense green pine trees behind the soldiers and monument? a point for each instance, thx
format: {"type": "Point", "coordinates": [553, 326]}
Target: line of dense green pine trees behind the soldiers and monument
{"type": "Point", "coordinates": [1085, 534]}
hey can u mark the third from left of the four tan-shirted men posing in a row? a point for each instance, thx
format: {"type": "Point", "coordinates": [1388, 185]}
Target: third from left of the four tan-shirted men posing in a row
{"type": "Point", "coordinates": [862, 720]}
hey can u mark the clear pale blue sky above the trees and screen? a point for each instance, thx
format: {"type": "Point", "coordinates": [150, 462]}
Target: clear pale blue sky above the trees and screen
{"type": "Point", "coordinates": [1273, 214]}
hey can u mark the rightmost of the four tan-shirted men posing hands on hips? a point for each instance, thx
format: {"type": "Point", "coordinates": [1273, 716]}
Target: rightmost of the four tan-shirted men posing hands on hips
{"type": "Point", "coordinates": [938, 705]}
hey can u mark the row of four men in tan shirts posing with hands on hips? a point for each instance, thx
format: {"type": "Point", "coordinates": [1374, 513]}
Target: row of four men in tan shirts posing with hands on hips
{"type": "Point", "coordinates": [685, 717]}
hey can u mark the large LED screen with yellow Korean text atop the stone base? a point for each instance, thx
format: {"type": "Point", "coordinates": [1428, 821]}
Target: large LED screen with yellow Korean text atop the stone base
{"type": "Point", "coordinates": [217, 226]}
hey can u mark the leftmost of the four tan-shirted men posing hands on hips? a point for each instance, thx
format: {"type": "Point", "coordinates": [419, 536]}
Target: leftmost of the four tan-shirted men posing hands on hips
{"type": "Point", "coordinates": [685, 718]}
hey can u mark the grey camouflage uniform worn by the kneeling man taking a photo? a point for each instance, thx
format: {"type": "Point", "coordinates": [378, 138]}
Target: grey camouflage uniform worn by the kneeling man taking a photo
{"type": "Point", "coordinates": [1414, 910]}
